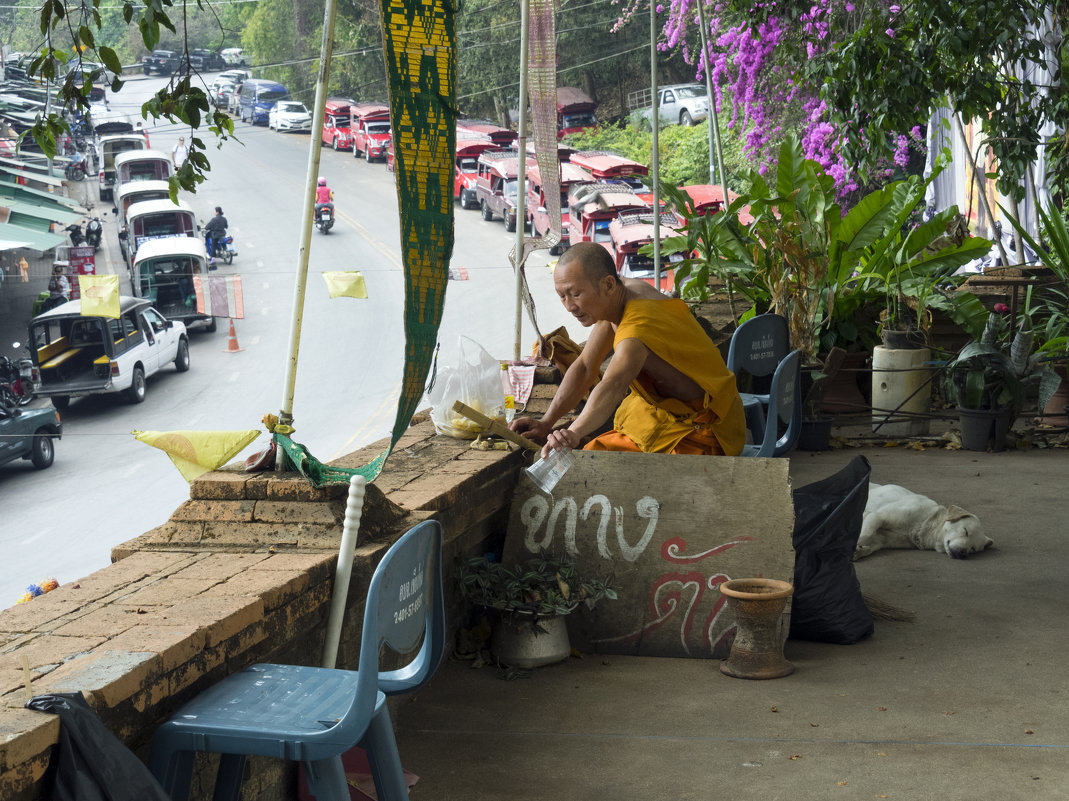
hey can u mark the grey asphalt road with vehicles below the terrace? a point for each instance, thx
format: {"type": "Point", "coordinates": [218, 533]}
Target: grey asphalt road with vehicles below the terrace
{"type": "Point", "coordinates": [106, 488]}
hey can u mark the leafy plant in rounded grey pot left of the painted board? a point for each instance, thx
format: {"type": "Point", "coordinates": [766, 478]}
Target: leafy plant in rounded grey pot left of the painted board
{"type": "Point", "coordinates": [532, 602]}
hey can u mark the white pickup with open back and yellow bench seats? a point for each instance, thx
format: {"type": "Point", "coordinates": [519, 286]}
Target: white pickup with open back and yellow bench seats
{"type": "Point", "coordinates": [80, 355]}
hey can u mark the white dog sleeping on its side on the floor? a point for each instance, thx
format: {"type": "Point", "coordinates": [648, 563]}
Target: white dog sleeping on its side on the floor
{"type": "Point", "coordinates": [897, 518]}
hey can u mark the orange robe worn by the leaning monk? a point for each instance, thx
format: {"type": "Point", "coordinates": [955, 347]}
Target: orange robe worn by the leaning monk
{"type": "Point", "coordinates": [648, 423]}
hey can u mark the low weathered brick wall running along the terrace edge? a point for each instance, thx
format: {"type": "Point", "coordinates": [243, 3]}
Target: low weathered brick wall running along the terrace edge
{"type": "Point", "coordinates": [242, 574]}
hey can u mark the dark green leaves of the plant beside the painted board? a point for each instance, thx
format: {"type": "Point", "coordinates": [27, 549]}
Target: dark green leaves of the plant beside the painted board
{"type": "Point", "coordinates": [545, 586]}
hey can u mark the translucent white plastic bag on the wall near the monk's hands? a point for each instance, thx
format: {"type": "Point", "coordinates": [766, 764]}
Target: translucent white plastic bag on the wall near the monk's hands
{"type": "Point", "coordinates": [477, 382]}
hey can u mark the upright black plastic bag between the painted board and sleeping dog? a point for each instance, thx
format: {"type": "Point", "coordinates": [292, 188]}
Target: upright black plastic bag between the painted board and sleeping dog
{"type": "Point", "coordinates": [828, 605]}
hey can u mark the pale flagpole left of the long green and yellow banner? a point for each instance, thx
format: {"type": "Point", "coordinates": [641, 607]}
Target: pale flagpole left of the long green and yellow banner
{"type": "Point", "coordinates": [286, 414]}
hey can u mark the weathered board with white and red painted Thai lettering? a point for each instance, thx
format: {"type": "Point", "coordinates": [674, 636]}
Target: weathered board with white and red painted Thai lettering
{"type": "Point", "coordinates": [672, 529]}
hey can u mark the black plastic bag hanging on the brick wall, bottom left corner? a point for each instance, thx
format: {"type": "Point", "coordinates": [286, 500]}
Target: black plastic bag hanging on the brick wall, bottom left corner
{"type": "Point", "coordinates": [89, 763]}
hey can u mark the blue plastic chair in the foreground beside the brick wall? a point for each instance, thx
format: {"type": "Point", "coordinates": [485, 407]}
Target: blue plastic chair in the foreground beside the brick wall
{"type": "Point", "coordinates": [315, 715]}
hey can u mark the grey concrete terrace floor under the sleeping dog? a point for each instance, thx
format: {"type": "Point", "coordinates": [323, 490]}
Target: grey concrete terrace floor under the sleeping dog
{"type": "Point", "coordinates": [967, 702]}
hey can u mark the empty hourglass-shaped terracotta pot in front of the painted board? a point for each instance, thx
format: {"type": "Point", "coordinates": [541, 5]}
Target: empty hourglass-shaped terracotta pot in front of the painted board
{"type": "Point", "coordinates": [757, 606]}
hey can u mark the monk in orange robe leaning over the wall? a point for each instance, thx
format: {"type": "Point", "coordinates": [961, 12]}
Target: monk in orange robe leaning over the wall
{"type": "Point", "coordinates": [670, 387]}
